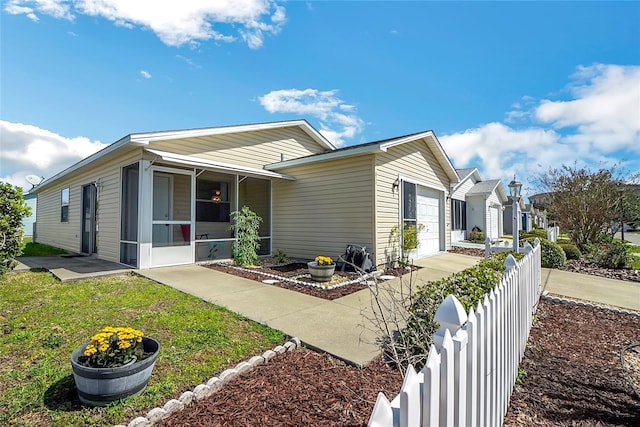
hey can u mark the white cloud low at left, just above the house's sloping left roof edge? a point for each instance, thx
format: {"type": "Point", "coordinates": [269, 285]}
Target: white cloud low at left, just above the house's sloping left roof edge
{"type": "Point", "coordinates": [28, 149]}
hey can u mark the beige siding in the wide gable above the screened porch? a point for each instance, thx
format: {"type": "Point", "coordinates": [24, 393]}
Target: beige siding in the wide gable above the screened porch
{"type": "Point", "coordinates": [250, 149]}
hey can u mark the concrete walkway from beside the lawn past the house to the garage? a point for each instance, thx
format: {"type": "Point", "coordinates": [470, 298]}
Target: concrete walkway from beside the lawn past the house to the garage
{"type": "Point", "coordinates": [339, 327]}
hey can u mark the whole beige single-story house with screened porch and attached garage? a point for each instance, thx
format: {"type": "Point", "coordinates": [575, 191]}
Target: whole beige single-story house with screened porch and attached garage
{"type": "Point", "coordinates": [164, 198]}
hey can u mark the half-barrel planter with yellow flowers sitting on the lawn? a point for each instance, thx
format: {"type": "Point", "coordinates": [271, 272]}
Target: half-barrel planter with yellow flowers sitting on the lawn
{"type": "Point", "coordinates": [115, 364]}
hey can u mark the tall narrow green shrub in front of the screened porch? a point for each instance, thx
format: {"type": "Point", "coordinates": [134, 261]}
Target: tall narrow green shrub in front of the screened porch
{"type": "Point", "coordinates": [246, 224]}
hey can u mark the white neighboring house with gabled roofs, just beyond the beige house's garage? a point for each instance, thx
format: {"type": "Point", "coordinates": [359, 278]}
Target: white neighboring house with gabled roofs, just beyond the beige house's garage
{"type": "Point", "coordinates": [476, 204]}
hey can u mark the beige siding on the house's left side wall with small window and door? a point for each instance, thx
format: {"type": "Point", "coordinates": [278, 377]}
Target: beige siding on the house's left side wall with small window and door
{"type": "Point", "coordinates": [68, 235]}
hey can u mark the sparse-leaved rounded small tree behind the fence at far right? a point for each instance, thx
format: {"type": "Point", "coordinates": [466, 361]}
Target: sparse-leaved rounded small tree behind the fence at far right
{"type": "Point", "coordinates": [586, 203]}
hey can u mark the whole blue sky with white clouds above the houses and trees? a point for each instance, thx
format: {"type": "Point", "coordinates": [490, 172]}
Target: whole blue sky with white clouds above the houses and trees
{"type": "Point", "coordinates": [506, 86]}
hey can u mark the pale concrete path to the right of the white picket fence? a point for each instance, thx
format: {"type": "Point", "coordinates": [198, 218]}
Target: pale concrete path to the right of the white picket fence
{"type": "Point", "coordinates": [599, 290]}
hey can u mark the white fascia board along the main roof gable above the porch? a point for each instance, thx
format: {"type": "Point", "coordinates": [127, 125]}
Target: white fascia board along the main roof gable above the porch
{"type": "Point", "coordinates": [192, 133]}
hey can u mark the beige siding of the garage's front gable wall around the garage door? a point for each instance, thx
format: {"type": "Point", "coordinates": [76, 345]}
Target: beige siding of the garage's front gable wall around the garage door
{"type": "Point", "coordinates": [411, 160]}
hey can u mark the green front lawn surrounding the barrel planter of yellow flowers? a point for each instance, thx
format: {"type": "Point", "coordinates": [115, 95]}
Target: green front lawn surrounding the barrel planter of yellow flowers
{"type": "Point", "coordinates": [44, 320]}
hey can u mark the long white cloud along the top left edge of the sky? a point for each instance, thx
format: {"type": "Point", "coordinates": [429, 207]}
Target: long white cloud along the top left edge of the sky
{"type": "Point", "coordinates": [175, 23]}
